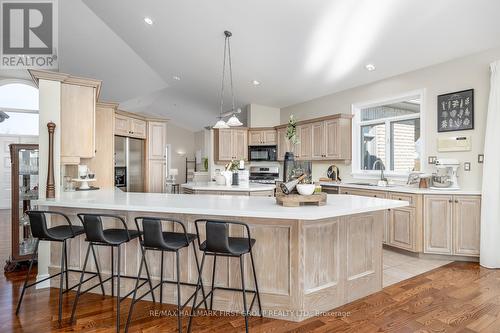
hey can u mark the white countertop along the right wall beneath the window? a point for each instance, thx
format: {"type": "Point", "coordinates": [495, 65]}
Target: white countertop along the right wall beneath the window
{"type": "Point", "coordinates": [403, 189]}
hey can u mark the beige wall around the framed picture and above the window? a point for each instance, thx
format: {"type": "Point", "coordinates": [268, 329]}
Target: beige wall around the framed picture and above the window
{"type": "Point", "coordinates": [464, 73]}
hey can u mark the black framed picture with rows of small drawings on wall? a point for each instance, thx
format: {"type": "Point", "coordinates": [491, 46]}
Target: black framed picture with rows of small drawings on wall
{"type": "Point", "coordinates": [456, 111]}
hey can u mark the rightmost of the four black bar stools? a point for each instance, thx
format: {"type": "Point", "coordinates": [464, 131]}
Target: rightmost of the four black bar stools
{"type": "Point", "coordinates": [218, 243]}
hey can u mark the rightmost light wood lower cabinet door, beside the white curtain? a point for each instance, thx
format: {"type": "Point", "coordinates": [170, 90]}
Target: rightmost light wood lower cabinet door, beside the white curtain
{"type": "Point", "coordinates": [466, 225]}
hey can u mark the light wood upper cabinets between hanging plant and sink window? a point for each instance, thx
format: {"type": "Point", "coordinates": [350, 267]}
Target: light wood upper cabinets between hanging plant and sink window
{"type": "Point", "coordinates": [326, 138]}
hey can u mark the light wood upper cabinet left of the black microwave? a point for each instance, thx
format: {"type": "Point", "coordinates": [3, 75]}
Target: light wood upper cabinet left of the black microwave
{"type": "Point", "coordinates": [230, 144]}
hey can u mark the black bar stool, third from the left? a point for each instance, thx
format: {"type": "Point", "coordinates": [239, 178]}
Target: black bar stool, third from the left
{"type": "Point", "coordinates": [156, 239]}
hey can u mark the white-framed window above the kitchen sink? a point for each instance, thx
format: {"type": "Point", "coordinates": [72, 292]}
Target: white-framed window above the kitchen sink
{"type": "Point", "coordinates": [388, 135]}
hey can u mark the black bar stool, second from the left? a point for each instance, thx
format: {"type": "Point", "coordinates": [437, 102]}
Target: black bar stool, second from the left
{"type": "Point", "coordinates": [114, 238]}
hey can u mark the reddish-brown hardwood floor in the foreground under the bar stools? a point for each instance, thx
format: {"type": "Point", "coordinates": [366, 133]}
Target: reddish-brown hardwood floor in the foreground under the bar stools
{"type": "Point", "coordinates": [458, 297]}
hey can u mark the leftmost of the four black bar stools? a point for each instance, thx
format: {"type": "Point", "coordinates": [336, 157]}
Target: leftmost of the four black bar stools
{"type": "Point", "coordinates": [60, 233]}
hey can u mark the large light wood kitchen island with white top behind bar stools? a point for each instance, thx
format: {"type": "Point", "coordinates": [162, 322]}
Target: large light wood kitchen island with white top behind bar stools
{"type": "Point", "coordinates": [308, 259]}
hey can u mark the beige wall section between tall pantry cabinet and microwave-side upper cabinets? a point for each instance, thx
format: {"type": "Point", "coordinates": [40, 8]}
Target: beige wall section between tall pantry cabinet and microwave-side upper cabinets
{"type": "Point", "coordinates": [182, 145]}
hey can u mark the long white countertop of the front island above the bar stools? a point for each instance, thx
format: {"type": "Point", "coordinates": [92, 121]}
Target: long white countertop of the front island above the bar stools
{"type": "Point", "coordinates": [218, 205]}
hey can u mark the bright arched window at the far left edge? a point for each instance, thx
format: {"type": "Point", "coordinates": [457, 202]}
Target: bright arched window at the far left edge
{"type": "Point", "coordinates": [18, 109]}
